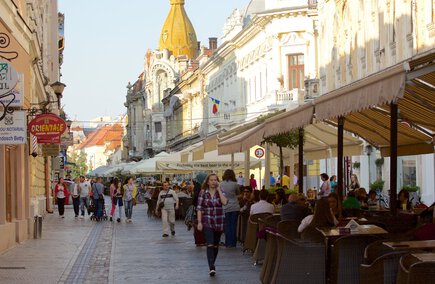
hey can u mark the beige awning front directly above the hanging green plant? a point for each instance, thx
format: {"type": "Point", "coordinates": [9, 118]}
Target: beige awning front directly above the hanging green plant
{"type": "Point", "coordinates": [289, 120]}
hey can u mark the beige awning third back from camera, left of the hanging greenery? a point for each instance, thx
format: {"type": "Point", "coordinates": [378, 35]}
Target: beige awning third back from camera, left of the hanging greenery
{"type": "Point", "coordinates": [242, 141]}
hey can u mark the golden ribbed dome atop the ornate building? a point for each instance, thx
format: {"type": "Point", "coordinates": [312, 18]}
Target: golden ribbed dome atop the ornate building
{"type": "Point", "coordinates": [178, 35]}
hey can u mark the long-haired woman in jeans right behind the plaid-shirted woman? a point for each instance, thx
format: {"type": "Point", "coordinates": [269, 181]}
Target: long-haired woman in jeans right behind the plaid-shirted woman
{"type": "Point", "coordinates": [232, 209]}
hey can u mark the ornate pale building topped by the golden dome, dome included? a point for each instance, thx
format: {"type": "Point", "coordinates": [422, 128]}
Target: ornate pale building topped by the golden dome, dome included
{"type": "Point", "coordinates": [162, 69]}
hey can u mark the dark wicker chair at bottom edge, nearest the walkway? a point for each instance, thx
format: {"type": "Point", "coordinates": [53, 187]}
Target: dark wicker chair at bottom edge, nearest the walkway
{"type": "Point", "coordinates": [299, 262]}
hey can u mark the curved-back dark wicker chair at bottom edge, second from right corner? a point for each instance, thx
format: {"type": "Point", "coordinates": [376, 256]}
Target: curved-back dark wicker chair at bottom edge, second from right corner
{"type": "Point", "coordinates": [382, 270]}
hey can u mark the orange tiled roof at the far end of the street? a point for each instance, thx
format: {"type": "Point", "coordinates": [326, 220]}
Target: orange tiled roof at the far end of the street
{"type": "Point", "coordinates": [111, 134]}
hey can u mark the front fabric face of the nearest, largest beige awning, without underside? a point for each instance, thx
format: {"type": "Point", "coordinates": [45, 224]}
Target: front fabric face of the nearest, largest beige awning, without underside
{"type": "Point", "coordinates": [378, 89]}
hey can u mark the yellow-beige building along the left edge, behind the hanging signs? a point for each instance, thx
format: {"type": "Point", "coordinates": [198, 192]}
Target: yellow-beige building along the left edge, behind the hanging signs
{"type": "Point", "coordinates": [30, 43]}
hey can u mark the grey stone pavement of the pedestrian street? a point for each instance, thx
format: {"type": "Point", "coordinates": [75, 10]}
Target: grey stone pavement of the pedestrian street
{"type": "Point", "coordinates": [83, 251]}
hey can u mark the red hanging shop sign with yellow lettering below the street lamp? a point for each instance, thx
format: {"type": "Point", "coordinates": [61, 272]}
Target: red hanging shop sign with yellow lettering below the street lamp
{"type": "Point", "coordinates": [47, 128]}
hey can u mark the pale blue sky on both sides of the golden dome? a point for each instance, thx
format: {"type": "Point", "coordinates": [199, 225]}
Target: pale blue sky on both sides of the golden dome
{"type": "Point", "coordinates": [105, 43]}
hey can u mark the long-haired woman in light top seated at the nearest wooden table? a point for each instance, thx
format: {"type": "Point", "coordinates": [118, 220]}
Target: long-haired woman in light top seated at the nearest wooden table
{"type": "Point", "coordinates": [322, 217]}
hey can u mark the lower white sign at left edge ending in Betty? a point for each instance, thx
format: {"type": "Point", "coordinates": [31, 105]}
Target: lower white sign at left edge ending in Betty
{"type": "Point", "coordinates": [13, 128]}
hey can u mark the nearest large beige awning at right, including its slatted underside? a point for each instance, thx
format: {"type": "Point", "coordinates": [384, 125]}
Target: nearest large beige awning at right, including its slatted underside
{"type": "Point", "coordinates": [366, 108]}
